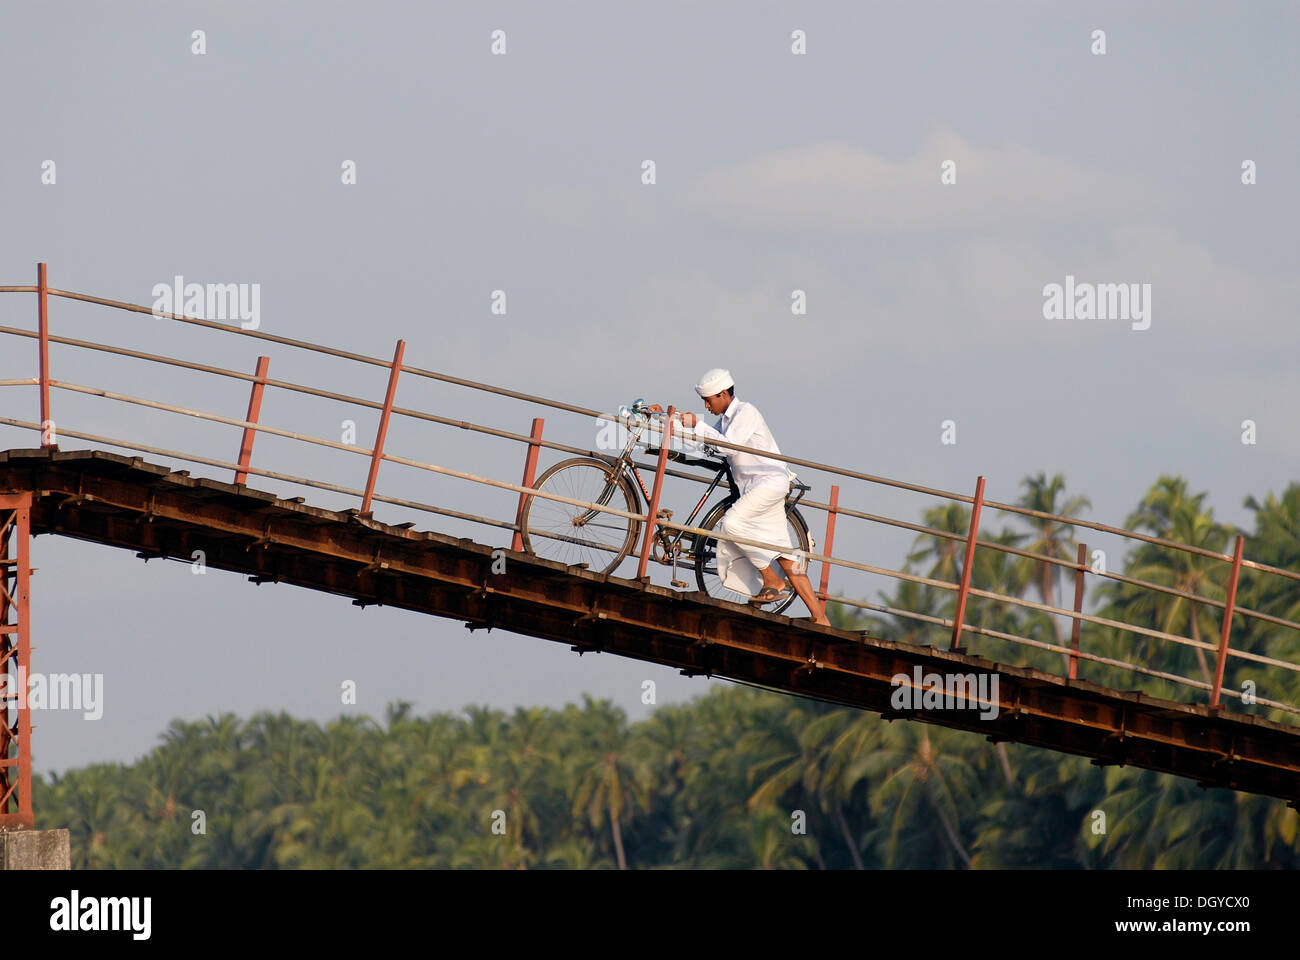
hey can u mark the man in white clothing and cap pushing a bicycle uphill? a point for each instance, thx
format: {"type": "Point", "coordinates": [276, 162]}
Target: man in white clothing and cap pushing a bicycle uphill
{"type": "Point", "coordinates": [762, 485]}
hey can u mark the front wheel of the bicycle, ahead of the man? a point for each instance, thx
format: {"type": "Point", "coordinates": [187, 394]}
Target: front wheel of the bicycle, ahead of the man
{"type": "Point", "coordinates": [569, 534]}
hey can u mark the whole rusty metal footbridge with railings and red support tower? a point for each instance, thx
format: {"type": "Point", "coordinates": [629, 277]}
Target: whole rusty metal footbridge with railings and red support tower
{"type": "Point", "coordinates": [144, 504]}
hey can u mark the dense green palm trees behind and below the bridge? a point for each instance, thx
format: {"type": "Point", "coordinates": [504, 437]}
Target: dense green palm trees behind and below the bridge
{"type": "Point", "coordinates": [744, 779]}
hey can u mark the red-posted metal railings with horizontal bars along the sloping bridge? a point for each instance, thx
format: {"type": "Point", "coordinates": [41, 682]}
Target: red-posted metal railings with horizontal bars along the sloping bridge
{"type": "Point", "coordinates": [250, 427]}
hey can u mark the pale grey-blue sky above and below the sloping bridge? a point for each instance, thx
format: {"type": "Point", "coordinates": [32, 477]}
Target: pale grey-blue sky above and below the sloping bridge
{"type": "Point", "coordinates": [525, 171]}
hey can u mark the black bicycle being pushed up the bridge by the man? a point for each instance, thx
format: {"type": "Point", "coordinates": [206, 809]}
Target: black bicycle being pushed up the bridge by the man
{"type": "Point", "coordinates": [549, 529]}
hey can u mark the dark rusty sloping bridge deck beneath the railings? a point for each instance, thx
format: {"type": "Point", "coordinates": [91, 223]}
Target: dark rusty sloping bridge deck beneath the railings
{"type": "Point", "coordinates": [103, 498]}
